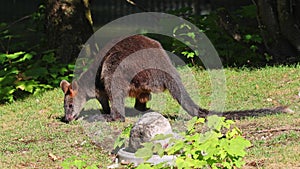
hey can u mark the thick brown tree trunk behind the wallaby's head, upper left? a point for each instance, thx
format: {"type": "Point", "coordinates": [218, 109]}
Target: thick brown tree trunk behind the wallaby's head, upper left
{"type": "Point", "coordinates": [68, 27]}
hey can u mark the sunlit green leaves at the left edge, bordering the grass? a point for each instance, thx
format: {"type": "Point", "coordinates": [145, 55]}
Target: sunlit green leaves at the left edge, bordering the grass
{"type": "Point", "coordinates": [22, 73]}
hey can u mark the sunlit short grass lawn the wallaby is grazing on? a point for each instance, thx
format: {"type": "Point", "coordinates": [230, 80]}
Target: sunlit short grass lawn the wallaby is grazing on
{"type": "Point", "coordinates": [32, 135]}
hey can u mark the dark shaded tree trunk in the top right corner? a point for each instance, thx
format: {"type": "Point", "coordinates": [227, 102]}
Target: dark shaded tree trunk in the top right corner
{"type": "Point", "coordinates": [279, 27]}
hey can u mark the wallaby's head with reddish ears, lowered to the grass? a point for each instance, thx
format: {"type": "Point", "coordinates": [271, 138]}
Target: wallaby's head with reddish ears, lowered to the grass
{"type": "Point", "coordinates": [73, 101]}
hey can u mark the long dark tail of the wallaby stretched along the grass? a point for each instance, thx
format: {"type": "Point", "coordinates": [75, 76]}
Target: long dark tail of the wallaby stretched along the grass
{"type": "Point", "coordinates": [179, 93]}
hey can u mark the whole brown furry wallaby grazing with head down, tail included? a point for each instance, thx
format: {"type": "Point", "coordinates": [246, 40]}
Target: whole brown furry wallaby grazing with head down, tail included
{"type": "Point", "coordinates": [136, 67]}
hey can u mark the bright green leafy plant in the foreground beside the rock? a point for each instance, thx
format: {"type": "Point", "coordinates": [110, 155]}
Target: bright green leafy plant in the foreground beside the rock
{"type": "Point", "coordinates": [211, 149]}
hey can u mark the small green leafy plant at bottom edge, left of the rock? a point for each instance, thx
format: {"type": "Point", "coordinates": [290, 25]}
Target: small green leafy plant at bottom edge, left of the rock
{"type": "Point", "coordinates": [79, 163]}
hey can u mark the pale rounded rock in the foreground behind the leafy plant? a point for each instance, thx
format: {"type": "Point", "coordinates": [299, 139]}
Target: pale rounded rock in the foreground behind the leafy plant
{"type": "Point", "coordinates": [149, 125]}
